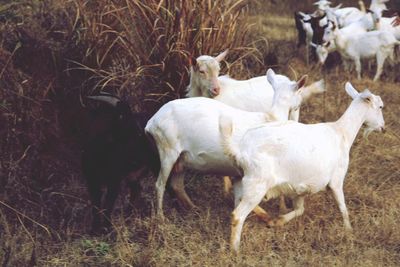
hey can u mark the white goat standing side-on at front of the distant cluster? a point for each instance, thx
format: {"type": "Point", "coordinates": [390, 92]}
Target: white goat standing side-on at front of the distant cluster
{"type": "Point", "coordinates": [378, 44]}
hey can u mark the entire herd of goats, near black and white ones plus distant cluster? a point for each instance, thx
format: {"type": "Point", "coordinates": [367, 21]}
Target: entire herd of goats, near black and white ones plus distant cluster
{"type": "Point", "coordinates": [246, 129]}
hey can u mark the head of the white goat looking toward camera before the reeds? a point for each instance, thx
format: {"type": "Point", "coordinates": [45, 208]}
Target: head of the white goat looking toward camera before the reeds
{"type": "Point", "coordinates": [204, 74]}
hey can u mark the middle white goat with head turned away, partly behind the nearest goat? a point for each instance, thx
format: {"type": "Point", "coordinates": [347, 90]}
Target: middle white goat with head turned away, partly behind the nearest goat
{"type": "Point", "coordinates": [187, 135]}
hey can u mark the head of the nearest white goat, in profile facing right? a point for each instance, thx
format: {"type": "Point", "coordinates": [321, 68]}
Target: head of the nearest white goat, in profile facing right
{"type": "Point", "coordinates": [373, 117]}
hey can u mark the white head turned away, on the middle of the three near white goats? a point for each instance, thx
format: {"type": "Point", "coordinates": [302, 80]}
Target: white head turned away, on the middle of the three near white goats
{"type": "Point", "coordinates": [287, 94]}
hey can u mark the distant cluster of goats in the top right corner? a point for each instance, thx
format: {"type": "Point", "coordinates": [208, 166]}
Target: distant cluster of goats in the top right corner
{"type": "Point", "coordinates": [355, 33]}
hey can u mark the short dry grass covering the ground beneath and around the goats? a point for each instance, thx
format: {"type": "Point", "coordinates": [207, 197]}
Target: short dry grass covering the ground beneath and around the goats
{"type": "Point", "coordinates": [45, 222]}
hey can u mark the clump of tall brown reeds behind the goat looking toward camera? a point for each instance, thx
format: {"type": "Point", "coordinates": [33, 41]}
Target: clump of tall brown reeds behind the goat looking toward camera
{"type": "Point", "coordinates": [145, 47]}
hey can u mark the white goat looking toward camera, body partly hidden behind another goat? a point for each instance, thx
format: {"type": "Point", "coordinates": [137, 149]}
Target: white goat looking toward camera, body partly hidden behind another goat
{"type": "Point", "coordinates": [254, 94]}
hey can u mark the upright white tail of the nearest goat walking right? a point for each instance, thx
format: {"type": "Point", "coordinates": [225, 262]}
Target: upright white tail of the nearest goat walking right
{"type": "Point", "coordinates": [229, 147]}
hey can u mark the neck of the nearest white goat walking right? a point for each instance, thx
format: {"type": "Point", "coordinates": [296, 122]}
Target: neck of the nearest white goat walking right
{"type": "Point", "coordinates": [350, 122]}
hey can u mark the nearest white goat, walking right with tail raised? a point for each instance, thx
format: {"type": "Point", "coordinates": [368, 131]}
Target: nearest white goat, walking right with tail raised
{"type": "Point", "coordinates": [296, 159]}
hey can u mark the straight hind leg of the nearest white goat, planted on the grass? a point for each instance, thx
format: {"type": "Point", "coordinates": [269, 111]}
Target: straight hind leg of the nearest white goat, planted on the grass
{"type": "Point", "coordinates": [253, 192]}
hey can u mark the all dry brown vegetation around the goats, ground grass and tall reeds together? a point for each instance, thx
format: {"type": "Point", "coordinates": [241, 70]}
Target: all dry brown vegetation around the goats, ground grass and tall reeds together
{"type": "Point", "coordinates": [44, 209]}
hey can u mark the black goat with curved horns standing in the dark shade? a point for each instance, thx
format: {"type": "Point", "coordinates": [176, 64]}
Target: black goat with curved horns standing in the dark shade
{"type": "Point", "coordinates": [117, 147]}
